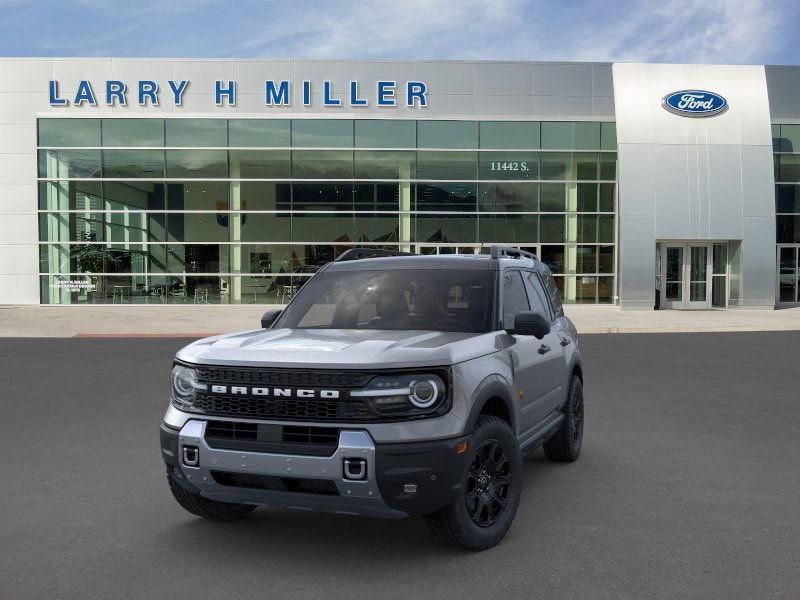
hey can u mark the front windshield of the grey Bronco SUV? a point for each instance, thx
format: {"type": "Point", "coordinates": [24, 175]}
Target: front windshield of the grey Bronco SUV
{"type": "Point", "coordinates": [436, 300]}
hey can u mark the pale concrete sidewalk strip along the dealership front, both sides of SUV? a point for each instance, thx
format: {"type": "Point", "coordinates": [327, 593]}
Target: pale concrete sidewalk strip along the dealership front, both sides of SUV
{"type": "Point", "coordinates": [199, 321]}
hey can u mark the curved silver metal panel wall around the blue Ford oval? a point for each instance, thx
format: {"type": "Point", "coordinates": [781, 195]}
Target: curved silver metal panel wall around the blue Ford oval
{"type": "Point", "coordinates": [694, 178]}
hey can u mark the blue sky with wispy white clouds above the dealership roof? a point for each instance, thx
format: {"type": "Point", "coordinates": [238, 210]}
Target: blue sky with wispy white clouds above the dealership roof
{"type": "Point", "coordinates": [711, 31]}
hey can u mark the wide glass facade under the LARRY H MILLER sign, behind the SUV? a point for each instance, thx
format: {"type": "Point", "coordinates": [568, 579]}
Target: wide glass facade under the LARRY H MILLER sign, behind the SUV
{"type": "Point", "coordinates": [245, 210]}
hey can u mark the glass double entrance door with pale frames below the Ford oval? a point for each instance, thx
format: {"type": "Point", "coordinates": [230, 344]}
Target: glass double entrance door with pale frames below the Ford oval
{"type": "Point", "coordinates": [686, 276]}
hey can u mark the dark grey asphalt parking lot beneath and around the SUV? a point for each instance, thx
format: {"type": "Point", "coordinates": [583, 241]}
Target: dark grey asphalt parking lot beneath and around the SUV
{"type": "Point", "coordinates": [688, 487]}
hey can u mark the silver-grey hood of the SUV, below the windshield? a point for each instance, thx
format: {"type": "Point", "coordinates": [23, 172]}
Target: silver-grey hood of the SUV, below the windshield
{"type": "Point", "coordinates": [340, 348]}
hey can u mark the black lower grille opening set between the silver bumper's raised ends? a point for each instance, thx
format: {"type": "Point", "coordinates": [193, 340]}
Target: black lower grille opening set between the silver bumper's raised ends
{"type": "Point", "coordinates": [272, 438]}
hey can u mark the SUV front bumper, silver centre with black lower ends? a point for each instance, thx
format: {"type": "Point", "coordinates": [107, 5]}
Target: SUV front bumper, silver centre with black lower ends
{"type": "Point", "coordinates": [401, 479]}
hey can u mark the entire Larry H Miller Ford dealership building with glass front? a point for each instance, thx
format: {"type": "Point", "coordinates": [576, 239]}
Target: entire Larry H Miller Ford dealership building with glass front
{"type": "Point", "coordinates": [161, 181]}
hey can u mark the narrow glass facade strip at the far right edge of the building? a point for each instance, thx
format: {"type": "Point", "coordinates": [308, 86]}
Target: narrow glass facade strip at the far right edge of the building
{"type": "Point", "coordinates": [786, 148]}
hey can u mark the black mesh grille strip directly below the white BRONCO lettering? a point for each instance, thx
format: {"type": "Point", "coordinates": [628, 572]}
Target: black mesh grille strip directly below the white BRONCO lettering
{"type": "Point", "coordinates": [290, 409]}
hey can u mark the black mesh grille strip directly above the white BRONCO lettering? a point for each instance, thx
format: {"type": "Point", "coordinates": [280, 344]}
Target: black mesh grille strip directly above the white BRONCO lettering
{"type": "Point", "coordinates": [284, 377]}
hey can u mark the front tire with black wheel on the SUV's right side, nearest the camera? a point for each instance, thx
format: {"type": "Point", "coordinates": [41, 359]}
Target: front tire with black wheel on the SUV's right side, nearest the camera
{"type": "Point", "coordinates": [490, 491]}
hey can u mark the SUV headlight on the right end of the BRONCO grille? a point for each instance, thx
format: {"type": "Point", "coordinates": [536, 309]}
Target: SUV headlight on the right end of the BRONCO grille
{"type": "Point", "coordinates": [405, 395]}
